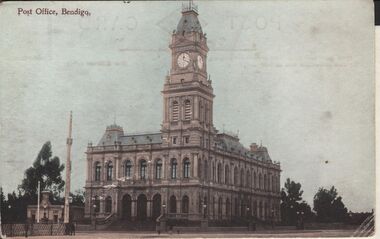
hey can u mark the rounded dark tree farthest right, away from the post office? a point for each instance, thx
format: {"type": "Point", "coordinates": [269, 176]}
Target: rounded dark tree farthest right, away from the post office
{"type": "Point", "coordinates": [328, 206]}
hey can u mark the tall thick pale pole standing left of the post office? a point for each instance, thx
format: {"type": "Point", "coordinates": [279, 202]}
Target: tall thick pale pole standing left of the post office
{"type": "Point", "coordinates": [69, 142]}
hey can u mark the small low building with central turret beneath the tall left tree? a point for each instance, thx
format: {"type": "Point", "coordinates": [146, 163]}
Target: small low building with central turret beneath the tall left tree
{"type": "Point", "coordinates": [52, 213]}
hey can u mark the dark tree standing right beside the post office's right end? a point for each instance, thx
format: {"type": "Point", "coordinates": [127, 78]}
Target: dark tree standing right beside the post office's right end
{"type": "Point", "coordinates": [291, 203]}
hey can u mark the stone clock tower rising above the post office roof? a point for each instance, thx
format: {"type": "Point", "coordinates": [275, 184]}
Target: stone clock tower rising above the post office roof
{"type": "Point", "coordinates": [188, 94]}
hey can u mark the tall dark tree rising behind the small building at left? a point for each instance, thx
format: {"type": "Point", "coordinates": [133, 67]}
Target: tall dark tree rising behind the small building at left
{"type": "Point", "coordinates": [47, 170]}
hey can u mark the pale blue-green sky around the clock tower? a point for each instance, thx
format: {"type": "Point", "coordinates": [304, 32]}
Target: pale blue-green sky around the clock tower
{"type": "Point", "coordinates": [297, 76]}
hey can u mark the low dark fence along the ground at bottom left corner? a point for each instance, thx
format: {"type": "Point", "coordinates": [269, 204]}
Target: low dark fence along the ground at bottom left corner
{"type": "Point", "coordinates": [41, 229]}
